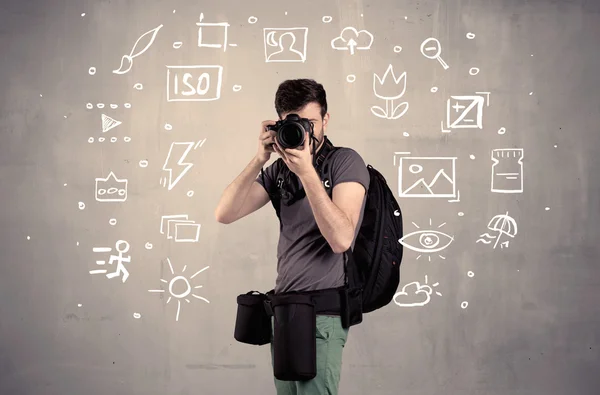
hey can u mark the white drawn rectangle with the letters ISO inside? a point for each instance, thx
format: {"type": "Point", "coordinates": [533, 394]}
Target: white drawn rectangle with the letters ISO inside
{"type": "Point", "coordinates": [200, 83]}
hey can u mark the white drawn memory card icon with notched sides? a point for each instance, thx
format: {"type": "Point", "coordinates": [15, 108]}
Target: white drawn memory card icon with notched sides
{"type": "Point", "coordinates": [507, 170]}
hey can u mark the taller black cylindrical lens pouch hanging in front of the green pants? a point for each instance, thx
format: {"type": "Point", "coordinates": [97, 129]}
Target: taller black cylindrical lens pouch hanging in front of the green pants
{"type": "Point", "coordinates": [294, 337]}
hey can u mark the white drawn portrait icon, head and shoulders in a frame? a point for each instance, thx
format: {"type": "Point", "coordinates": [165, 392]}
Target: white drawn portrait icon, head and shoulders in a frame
{"type": "Point", "coordinates": [285, 44]}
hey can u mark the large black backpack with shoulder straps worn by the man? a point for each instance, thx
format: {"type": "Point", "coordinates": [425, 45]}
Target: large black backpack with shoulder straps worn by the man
{"type": "Point", "coordinates": [377, 251]}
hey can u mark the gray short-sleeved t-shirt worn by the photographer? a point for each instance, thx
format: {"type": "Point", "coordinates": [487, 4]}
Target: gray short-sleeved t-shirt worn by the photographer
{"type": "Point", "coordinates": [305, 261]}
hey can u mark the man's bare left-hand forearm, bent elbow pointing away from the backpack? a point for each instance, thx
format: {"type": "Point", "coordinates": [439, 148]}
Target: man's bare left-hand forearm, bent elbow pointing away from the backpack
{"type": "Point", "coordinates": [243, 196]}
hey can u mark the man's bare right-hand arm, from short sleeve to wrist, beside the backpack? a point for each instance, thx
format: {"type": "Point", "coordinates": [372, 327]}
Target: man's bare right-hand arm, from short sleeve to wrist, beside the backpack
{"type": "Point", "coordinates": [337, 224]}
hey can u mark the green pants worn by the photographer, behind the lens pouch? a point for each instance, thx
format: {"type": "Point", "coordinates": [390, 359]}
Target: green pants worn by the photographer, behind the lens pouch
{"type": "Point", "coordinates": [331, 338]}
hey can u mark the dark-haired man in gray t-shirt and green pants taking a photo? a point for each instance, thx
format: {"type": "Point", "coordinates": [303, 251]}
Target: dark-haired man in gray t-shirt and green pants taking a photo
{"type": "Point", "coordinates": [316, 230]}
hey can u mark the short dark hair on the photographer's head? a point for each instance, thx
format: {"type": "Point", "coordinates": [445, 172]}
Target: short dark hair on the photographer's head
{"type": "Point", "coordinates": [293, 95]}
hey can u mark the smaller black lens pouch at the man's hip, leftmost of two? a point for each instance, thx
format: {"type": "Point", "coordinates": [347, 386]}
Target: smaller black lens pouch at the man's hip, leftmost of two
{"type": "Point", "coordinates": [252, 324]}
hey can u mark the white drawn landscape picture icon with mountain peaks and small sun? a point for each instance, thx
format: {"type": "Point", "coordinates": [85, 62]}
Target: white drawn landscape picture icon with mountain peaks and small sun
{"type": "Point", "coordinates": [428, 177]}
